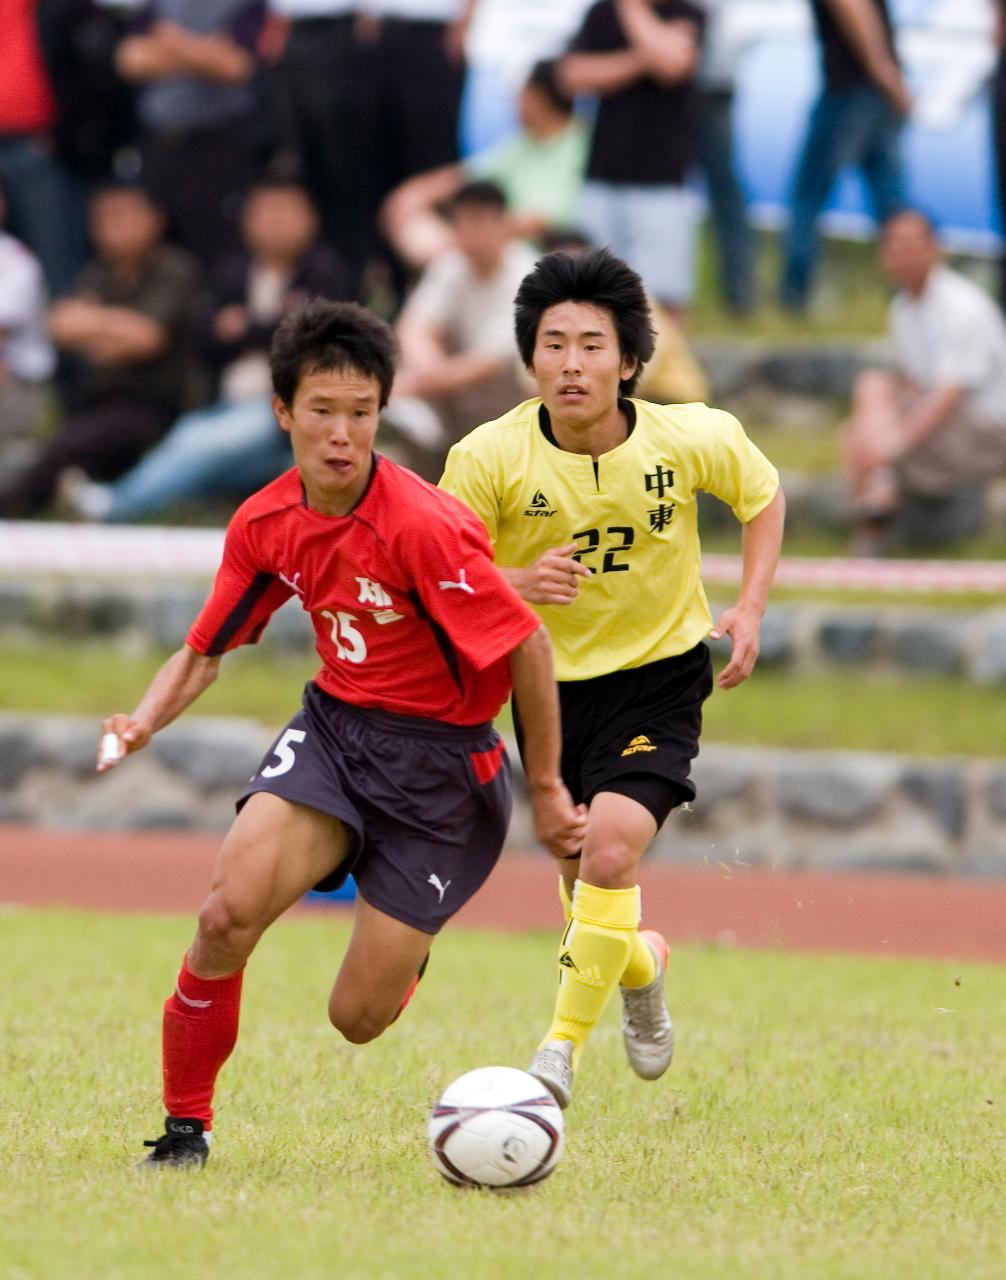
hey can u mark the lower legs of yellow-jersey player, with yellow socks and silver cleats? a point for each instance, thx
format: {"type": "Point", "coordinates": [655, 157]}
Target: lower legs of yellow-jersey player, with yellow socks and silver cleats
{"type": "Point", "coordinates": [602, 947]}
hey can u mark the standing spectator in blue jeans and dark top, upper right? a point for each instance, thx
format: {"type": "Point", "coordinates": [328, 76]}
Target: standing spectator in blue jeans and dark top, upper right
{"type": "Point", "coordinates": [854, 124]}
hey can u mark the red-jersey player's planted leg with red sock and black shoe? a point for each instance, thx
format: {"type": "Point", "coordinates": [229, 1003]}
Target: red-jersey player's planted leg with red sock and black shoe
{"type": "Point", "coordinates": [272, 856]}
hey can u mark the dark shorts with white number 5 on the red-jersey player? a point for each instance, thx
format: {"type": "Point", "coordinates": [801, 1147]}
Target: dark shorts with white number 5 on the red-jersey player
{"type": "Point", "coordinates": [427, 804]}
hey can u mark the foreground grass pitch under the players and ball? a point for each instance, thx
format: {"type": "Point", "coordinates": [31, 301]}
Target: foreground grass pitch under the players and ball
{"type": "Point", "coordinates": [826, 1118]}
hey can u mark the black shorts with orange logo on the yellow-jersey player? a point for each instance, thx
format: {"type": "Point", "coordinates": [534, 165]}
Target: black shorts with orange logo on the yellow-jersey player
{"type": "Point", "coordinates": [635, 732]}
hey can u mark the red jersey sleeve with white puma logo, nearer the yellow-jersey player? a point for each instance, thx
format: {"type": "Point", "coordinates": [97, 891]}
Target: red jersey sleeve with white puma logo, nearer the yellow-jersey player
{"type": "Point", "coordinates": [463, 592]}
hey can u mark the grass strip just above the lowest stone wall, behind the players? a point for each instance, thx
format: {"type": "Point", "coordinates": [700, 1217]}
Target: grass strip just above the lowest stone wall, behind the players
{"type": "Point", "coordinates": [840, 710]}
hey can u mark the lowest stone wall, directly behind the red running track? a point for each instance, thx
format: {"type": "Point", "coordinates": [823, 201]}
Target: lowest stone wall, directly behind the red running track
{"type": "Point", "coordinates": [793, 810]}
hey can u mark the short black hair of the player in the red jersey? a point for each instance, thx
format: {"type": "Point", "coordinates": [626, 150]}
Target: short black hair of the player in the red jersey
{"type": "Point", "coordinates": [323, 336]}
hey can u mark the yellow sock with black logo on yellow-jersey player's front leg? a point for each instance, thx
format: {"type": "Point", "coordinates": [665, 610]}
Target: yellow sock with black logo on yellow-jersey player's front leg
{"type": "Point", "coordinates": [593, 956]}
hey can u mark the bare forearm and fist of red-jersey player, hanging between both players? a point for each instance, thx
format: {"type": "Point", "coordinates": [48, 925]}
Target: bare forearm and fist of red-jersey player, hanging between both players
{"type": "Point", "coordinates": [560, 825]}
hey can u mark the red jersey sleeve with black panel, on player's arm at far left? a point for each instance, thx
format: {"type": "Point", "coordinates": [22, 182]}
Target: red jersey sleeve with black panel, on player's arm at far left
{"type": "Point", "coordinates": [243, 601]}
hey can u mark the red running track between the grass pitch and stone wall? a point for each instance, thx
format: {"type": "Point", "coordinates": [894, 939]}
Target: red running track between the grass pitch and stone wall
{"type": "Point", "coordinates": [880, 915]}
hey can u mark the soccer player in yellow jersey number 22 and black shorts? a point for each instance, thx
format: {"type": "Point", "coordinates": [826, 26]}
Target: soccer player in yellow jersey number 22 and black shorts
{"type": "Point", "coordinates": [591, 501]}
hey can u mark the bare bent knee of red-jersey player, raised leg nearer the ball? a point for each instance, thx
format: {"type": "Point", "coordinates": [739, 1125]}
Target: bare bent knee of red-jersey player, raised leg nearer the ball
{"type": "Point", "coordinates": [378, 973]}
